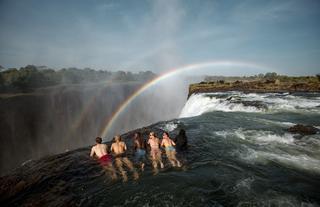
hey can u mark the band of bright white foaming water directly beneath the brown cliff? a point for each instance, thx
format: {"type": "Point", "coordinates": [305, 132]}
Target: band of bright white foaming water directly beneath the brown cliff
{"type": "Point", "coordinates": [198, 104]}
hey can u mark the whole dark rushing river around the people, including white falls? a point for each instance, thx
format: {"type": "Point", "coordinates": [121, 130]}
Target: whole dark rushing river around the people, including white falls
{"type": "Point", "coordinates": [240, 154]}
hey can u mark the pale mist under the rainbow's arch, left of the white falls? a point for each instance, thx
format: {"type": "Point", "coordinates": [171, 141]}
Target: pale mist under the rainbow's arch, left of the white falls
{"type": "Point", "coordinates": [160, 102]}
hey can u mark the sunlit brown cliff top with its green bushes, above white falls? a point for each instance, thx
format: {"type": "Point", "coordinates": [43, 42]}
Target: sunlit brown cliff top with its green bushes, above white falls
{"type": "Point", "coordinates": [257, 84]}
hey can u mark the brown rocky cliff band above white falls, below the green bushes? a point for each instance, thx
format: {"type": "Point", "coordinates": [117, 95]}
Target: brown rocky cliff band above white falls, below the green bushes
{"type": "Point", "coordinates": [289, 84]}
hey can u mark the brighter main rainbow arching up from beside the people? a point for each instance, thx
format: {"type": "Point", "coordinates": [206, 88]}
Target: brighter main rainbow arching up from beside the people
{"type": "Point", "coordinates": [107, 124]}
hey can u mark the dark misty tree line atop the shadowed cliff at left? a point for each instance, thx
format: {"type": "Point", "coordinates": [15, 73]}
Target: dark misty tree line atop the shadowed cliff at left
{"type": "Point", "coordinates": [31, 77]}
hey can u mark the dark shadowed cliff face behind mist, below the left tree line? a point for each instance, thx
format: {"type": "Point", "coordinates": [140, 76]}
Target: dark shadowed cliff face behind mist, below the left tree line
{"type": "Point", "coordinates": [52, 120]}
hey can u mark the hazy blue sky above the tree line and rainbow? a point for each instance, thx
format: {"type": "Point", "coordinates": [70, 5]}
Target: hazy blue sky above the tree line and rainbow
{"type": "Point", "coordinates": [160, 34]}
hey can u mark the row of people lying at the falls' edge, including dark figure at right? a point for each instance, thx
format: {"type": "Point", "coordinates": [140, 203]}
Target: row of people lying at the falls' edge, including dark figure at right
{"type": "Point", "coordinates": [118, 153]}
